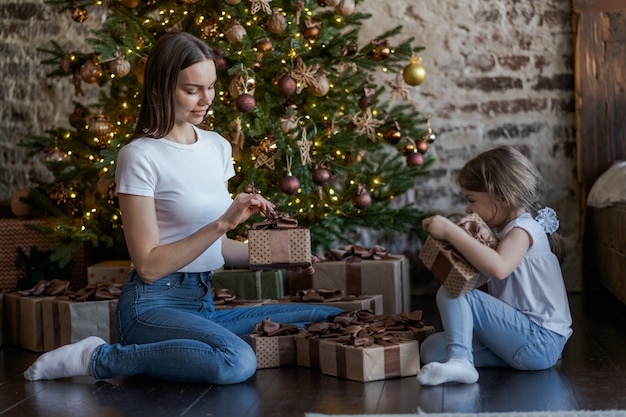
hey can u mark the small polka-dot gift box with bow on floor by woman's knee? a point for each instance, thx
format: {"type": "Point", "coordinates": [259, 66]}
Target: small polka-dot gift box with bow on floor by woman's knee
{"type": "Point", "coordinates": [274, 344]}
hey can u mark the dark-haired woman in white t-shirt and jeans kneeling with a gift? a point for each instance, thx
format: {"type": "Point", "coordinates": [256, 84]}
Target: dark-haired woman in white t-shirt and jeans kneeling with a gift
{"type": "Point", "coordinates": [171, 182]}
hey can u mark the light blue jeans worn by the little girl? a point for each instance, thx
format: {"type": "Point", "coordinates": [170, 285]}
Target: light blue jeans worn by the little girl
{"type": "Point", "coordinates": [488, 332]}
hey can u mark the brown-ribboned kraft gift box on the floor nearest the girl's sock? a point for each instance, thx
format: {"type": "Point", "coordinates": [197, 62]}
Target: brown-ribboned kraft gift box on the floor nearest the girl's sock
{"type": "Point", "coordinates": [370, 363]}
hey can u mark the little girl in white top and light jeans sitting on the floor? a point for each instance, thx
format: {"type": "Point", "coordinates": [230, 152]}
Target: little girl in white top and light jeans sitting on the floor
{"type": "Point", "coordinates": [524, 320]}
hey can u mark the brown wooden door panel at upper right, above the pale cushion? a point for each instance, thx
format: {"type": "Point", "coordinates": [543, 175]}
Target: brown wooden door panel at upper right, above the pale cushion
{"type": "Point", "coordinates": [600, 50]}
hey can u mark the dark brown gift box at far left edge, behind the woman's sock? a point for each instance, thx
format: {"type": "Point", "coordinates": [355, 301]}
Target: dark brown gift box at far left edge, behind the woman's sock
{"type": "Point", "coordinates": [23, 321]}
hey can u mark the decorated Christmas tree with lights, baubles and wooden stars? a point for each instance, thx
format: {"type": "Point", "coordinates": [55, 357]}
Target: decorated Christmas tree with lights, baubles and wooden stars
{"type": "Point", "coordinates": [312, 127]}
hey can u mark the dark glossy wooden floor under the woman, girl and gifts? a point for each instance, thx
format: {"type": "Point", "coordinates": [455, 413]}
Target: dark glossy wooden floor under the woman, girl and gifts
{"type": "Point", "coordinates": [591, 376]}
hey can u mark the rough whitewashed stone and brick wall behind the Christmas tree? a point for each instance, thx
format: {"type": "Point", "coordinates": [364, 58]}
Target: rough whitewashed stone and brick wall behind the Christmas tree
{"type": "Point", "coordinates": [498, 71]}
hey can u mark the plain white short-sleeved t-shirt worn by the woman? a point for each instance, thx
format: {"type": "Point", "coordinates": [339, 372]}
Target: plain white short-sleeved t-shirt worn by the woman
{"type": "Point", "coordinates": [187, 182]}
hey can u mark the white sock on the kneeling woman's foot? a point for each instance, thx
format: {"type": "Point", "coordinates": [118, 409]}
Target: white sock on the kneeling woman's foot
{"type": "Point", "coordinates": [66, 361]}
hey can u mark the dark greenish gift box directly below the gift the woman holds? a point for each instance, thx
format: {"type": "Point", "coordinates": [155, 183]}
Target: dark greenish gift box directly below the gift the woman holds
{"type": "Point", "coordinates": [251, 285]}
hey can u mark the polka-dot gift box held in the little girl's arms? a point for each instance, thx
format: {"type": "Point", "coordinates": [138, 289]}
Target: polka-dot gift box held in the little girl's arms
{"type": "Point", "coordinates": [449, 267]}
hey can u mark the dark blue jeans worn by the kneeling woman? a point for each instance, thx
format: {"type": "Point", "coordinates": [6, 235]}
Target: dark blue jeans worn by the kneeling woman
{"type": "Point", "coordinates": [170, 330]}
